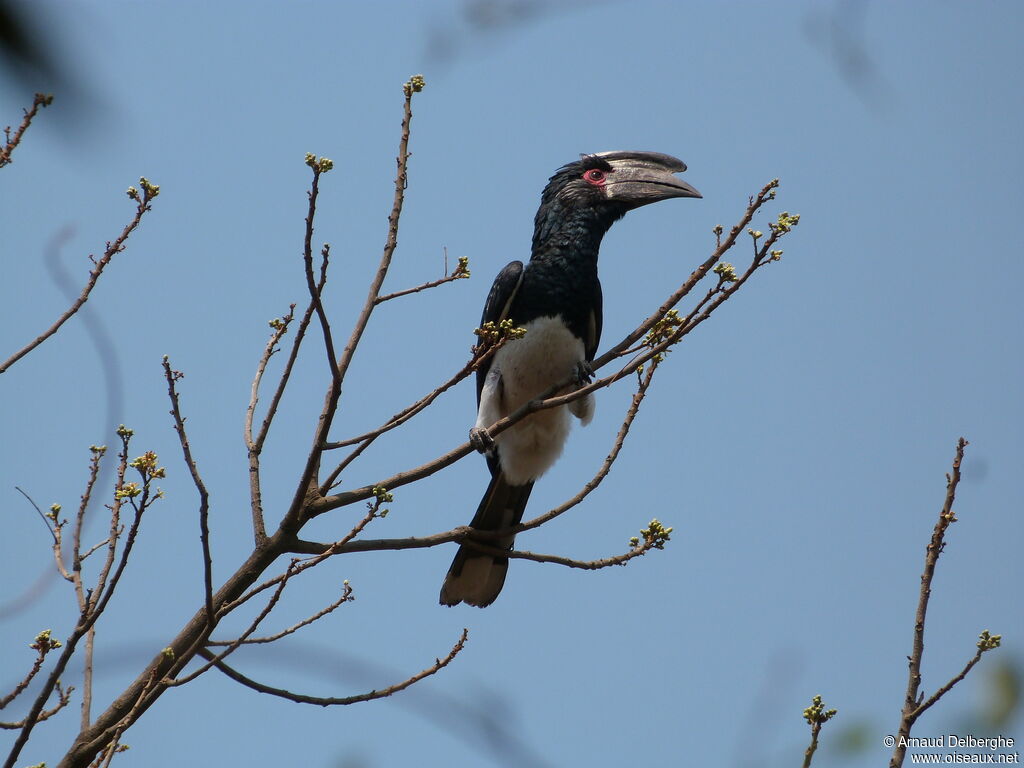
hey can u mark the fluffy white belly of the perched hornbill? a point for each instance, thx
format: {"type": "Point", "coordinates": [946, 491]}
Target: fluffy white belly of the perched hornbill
{"type": "Point", "coordinates": [523, 370]}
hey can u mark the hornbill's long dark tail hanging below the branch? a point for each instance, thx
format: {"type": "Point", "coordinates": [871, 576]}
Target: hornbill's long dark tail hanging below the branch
{"type": "Point", "coordinates": [475, 578]}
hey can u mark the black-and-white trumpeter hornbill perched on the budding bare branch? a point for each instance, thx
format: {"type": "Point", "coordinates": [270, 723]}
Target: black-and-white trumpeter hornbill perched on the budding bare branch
{"type": "Point", "coordinates": [558, 298]}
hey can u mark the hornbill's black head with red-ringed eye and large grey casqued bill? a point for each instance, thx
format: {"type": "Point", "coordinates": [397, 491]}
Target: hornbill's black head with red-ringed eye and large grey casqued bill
{"type": "Point", "coordinates": [602, 189]}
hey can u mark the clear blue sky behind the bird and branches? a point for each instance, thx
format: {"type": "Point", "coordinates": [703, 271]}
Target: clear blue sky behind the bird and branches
{"type": "Point", "coordinates": [797, 442]}
